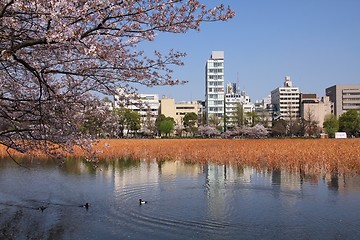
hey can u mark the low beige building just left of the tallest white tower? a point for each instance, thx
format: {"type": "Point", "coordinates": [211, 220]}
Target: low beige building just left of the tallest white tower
{"type": "Point", "coordinates": [169, 108]}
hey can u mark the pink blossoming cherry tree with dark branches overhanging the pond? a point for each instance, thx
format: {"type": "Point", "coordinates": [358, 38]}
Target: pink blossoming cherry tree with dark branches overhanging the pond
{"type": "Point", "coordinates": [55, 55]}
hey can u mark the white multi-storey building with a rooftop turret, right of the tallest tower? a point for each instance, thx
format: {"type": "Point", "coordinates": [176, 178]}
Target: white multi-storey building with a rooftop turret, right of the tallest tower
{"type": "Point", "coordinates": [286, 101]}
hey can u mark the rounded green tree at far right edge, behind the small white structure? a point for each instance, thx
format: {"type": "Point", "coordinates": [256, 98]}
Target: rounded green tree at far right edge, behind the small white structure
{"type": "Point", "coordinates": [349, 122]}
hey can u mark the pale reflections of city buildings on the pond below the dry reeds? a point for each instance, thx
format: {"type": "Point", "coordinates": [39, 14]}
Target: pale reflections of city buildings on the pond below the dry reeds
{"type": "Point", "coordinates": [218, 177]}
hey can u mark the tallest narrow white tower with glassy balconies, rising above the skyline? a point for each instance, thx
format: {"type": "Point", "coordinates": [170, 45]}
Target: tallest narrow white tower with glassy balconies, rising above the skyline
{"type": "Point", "coordinates": [214, 85]}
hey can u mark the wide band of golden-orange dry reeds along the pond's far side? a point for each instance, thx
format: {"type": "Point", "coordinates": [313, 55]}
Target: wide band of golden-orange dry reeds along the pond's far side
{"type": "Point", "coordinates": [308, 155]}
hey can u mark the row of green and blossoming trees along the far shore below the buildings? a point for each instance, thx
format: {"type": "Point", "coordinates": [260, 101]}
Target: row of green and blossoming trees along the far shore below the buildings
{"type": "Point", "coordinates": [122, 122]}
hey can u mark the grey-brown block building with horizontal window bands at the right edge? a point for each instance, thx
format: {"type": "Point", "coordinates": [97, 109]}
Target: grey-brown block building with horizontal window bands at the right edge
{"type": "Point", "coordinates": [344, 97]}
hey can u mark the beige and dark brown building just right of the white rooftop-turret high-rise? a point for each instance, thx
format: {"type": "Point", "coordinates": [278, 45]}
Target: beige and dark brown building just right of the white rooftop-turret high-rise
{"type": "Point", "coordinates": [314, 109]}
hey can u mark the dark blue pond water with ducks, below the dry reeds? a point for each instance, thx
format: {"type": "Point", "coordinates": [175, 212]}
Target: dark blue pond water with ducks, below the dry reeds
{"type": "Point", "coordinates": [184, 201]}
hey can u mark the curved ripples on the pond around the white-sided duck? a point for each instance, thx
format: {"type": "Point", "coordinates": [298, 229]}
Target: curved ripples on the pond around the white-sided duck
{"type": "Point", "coordinates": [175, 207]}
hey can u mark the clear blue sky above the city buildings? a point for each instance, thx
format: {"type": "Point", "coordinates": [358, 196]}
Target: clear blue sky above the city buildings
{"type": "Point", "coordinates": [316, 42]}
